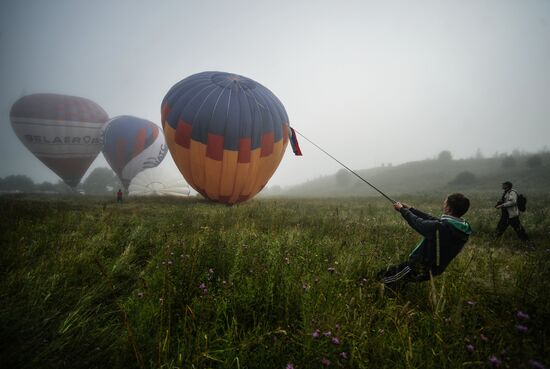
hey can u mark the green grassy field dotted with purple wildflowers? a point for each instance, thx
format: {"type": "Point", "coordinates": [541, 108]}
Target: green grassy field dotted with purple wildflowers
{"type": "Point", "coordinates": [163, 283]}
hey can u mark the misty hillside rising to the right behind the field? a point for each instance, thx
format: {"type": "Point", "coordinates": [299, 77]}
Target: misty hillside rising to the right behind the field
{"type": "Point", "coordinates": [429, 176]}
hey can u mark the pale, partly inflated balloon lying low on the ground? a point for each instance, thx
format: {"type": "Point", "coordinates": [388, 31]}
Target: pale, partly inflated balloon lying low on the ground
{"type": "Point", "coordinates": [158, 182]}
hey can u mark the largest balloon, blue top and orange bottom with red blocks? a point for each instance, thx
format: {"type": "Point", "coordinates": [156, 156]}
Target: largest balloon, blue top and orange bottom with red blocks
{"type": "Point", "coordinates": [226, 133]}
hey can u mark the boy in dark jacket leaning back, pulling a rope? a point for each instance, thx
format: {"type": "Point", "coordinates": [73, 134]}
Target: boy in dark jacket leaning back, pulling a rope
{"type": "Point", "coordinates": [443, 238]}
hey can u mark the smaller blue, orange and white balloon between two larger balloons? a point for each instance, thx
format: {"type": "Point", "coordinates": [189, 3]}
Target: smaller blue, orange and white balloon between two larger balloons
{"type": "Point", "coordinates": [131, 145]}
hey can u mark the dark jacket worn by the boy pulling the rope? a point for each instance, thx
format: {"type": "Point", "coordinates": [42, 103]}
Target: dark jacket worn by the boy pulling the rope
{"type": "Point", "coordinates": [452, 233]}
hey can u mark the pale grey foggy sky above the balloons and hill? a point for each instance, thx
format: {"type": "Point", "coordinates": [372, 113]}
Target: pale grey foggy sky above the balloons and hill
{"type": "Point", "coordinates": [370, 81]}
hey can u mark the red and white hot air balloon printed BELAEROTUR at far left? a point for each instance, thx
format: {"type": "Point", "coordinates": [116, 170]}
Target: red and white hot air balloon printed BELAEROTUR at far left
{"type": "Point", "coordinates": [64, 132]}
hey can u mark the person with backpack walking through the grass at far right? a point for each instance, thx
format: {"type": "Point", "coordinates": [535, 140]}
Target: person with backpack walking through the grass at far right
{"type": "Point", "coordinates": [509, 212]}
